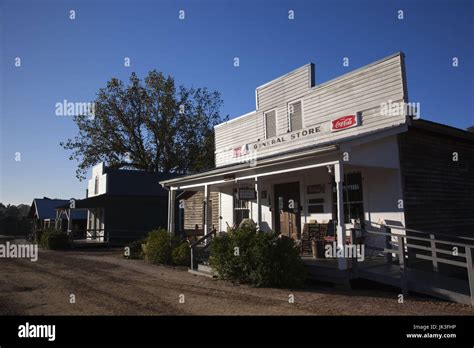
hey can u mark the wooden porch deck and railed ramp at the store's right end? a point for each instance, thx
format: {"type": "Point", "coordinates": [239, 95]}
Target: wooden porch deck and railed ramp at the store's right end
{"type": "Point", "coordinates": [409, 261]}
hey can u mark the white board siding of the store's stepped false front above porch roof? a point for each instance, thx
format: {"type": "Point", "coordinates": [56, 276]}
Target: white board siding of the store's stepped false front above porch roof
{"type": "Point", "coordinates": [361, 91]}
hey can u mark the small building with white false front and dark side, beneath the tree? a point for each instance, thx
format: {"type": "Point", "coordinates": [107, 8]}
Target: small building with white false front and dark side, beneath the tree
{"type": "Point", "coordinates": [121, 205]}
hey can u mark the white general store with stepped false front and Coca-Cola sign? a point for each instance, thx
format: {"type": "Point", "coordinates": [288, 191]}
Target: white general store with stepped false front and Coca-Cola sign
{"type": "Point", "coordinates": [348, 151]}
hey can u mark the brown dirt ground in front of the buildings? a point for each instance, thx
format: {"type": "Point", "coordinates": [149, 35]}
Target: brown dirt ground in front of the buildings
{"type": "Point", "coordinates": [104, 283]}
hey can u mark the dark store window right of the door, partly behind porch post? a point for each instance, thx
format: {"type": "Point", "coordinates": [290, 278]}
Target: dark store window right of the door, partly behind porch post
{"type": "Point", "coordinates": [353, 198]}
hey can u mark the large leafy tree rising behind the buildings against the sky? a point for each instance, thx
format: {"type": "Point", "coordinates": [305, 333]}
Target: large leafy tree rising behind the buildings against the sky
{"type": "Point", "coordinates": [150, 125]}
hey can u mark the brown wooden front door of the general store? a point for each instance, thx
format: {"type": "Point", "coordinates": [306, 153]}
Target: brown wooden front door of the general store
{"type": "Point", "coordinates": [287, 209]}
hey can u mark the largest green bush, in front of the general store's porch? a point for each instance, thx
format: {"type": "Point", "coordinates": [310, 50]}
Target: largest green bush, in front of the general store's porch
{"type": "Point", "coordinates": [261, 259]}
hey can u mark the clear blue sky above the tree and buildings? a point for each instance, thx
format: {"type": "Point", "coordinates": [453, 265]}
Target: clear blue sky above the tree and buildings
{"type": "Point", "coordinates": [65, 59]}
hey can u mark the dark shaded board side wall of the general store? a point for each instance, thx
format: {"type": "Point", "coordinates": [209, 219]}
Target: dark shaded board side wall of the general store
{"type": "Point", "coordinates": [438, 192]}
